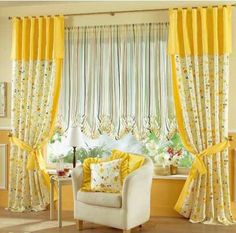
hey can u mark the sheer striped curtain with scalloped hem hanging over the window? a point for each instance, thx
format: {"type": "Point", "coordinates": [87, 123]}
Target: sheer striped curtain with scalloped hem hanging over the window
{"type": "Point", "coordinates": [117, 80]}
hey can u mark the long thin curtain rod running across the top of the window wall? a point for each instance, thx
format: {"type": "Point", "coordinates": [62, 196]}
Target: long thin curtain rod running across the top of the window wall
{"type": "Point", "coordinates": [112, 13]}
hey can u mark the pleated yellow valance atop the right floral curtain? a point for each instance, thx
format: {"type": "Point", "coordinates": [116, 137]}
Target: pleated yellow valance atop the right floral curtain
{"type": "Point", "coordinates": [200, 31]}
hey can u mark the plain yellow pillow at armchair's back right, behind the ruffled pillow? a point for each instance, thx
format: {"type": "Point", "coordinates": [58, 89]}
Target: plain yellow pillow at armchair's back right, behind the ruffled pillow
{"type": "Point", "coordinates": [135, 161]}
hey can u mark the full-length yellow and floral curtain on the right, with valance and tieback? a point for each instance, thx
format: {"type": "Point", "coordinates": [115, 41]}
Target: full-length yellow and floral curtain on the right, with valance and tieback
{"type": "Point", "coordinates": [199, 45]}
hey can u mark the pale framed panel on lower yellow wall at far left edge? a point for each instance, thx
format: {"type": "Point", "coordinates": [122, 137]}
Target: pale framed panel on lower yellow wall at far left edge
{"type": "Point", "coordinates": [3, 169]}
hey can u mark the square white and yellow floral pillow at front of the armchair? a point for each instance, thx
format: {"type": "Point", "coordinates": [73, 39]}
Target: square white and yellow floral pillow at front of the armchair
{"type": "Point", "coordinates": [106, 177]}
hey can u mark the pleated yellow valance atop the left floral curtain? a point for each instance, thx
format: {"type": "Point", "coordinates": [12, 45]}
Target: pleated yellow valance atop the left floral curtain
{"type": "Point", "coordinates": [39, 38]}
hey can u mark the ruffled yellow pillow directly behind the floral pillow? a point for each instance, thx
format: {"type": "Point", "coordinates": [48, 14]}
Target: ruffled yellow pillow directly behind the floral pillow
{"type": "Point", "coordinates": [124, 166]}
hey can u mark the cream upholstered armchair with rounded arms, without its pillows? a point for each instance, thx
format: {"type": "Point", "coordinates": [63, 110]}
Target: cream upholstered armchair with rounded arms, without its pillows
{"type": "Point", "coordinates": [124, 210]}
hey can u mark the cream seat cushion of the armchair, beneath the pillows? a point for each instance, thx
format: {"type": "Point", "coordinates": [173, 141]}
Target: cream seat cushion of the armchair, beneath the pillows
{"type": "Point", "coordinates": [113, 200]}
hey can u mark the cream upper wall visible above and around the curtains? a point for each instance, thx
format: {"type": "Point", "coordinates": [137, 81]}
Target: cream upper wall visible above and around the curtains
{"type": "Point", "coordinates": [62, 8]}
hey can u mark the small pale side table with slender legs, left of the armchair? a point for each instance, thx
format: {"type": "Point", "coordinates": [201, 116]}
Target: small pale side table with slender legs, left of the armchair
{"type": "Point", "coordinates": [60, 182]}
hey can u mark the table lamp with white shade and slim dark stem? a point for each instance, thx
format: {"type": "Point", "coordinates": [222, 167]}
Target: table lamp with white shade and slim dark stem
{"type": "Point", "coordinates": [74, 140]}
